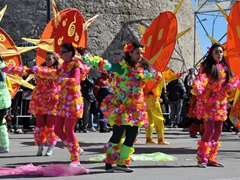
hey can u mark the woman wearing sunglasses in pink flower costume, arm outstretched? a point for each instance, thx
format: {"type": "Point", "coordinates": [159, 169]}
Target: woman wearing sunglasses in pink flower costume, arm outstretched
{"type": "Point", "coordinates": [70, 102]}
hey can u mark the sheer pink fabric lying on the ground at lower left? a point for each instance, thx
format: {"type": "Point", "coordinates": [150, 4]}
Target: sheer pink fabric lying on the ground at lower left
{"type": "Point", "coordinates": [51, 170]}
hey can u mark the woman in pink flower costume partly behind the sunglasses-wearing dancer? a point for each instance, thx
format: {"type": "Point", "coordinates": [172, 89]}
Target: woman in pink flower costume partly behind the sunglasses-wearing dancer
{"type": "Point", "coordinates": [43, 105]}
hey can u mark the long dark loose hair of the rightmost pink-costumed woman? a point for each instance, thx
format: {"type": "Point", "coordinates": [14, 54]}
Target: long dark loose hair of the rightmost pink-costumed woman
{"type": "Point", "coordinates": [210, 68]}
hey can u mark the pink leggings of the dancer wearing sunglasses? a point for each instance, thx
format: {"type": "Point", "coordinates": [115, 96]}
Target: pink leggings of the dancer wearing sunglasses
{"type": "Point", "coordinates": [64, 128]}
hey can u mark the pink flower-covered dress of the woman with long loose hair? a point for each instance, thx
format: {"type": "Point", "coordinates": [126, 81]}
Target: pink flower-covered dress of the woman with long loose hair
{"type": "Point", "coordinates": [212, 95]}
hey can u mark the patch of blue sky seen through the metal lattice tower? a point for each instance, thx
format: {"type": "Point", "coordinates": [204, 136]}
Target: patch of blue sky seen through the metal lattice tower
{"type": "Point", "coordinates": [215, 25]}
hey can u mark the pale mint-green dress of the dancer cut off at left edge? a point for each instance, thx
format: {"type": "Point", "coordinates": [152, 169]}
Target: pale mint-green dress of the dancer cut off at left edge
{"type": "Point", "coordinates": [5, 98]}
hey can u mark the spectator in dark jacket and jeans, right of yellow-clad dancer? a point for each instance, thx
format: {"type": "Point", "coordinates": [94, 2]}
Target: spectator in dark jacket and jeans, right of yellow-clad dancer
{"type": "Point", "coordinates": [176, 94]}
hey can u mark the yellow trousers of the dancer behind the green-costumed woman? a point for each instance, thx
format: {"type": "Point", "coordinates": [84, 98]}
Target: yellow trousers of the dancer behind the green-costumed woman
{"type": "Point", "coordinates": [156, 118]}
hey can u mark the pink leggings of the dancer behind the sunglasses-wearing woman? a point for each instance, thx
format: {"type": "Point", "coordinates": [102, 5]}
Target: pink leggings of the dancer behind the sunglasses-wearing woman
{"type": "Point", "coordinates": [42, 120]}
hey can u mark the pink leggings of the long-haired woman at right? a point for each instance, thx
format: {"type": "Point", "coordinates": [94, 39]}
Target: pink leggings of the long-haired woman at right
{"type": "Point", "coordinates": [213, 130]}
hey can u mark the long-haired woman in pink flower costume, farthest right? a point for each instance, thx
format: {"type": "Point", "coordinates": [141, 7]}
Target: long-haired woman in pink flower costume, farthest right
{"type": "Point", "coordinates": [213, 84]}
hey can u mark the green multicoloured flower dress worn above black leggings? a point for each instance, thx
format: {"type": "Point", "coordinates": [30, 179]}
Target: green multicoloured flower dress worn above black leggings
{"type": "Point", "coordinates": [127, 105]}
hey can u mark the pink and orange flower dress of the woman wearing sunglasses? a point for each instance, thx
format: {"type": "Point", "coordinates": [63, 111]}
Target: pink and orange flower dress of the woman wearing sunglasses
{"type": "Point", "coordinates": [70, 101]}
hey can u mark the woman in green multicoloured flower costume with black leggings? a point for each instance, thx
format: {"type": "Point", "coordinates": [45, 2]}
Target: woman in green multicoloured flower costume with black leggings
{"type": "Point", "coordinates": [125, 109]}
